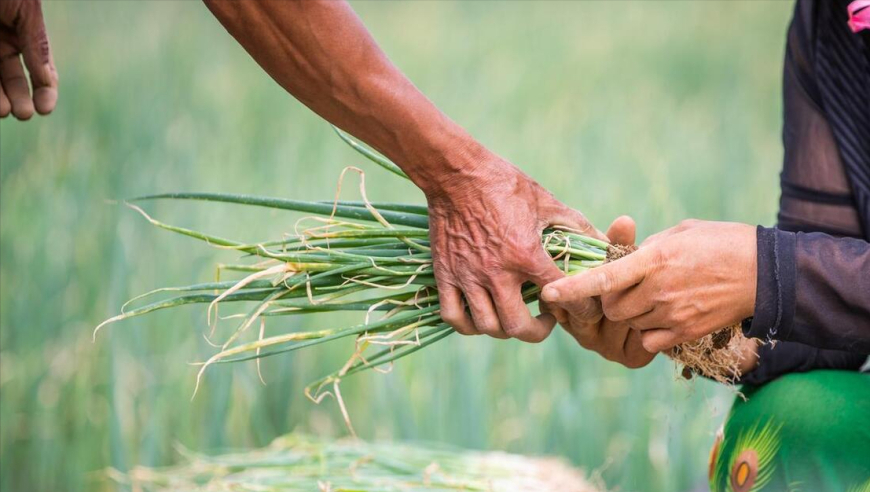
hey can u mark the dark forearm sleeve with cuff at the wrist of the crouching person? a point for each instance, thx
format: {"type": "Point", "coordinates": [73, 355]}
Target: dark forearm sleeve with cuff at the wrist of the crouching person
{"type": "Point", "coordinates": [812, 289]}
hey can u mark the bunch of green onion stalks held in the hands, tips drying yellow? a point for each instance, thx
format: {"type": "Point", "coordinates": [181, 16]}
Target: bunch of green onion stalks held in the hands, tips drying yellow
{"type": "Point", "coordinates": [373, 258]}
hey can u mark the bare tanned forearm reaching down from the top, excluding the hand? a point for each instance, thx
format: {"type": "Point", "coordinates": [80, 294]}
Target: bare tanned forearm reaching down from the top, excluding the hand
{"type": "Point", "coordinates": [321, 53]}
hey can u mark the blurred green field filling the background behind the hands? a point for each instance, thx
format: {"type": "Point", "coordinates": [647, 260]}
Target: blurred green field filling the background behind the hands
{"type": "Point", "coordinates": [662, 110]}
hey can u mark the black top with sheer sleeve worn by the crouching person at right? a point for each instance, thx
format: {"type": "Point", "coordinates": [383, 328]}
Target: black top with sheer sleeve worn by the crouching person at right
{"type": "Point", "coordinates": [813, 292]}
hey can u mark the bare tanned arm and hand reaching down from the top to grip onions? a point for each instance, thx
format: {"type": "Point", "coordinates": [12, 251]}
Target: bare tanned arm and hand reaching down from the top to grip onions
{"type": "Point", "coordinates": [486, 216]}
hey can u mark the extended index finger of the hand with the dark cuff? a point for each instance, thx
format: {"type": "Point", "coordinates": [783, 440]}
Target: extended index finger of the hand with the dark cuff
{"type": "Point", "coordinates": [606, 279]}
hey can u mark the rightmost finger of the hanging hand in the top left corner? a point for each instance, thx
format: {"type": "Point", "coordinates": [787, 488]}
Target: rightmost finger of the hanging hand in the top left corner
{"type": "Point", "coordinates": [36, 51]}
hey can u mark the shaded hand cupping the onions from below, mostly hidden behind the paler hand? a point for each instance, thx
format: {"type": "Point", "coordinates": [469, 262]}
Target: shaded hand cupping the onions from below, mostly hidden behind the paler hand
{"type": "Point", "coordinates": [614, 340]}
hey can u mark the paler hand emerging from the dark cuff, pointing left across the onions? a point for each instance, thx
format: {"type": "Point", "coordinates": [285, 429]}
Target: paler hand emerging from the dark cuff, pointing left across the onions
{"type": "Point", "coordinates": [682, 284]}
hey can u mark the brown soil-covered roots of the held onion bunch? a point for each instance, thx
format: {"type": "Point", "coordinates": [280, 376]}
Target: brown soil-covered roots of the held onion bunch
{"type": "Point", "coordinates": [716, 356]}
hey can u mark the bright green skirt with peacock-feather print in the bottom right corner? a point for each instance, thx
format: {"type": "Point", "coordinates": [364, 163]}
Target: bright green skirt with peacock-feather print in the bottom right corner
{"type": "Point", "coordinates": [807, 432]}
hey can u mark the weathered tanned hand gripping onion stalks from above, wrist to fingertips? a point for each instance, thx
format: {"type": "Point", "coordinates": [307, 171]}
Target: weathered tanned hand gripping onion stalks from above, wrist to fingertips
{"type": "Point", "coordinates": [485, 230]}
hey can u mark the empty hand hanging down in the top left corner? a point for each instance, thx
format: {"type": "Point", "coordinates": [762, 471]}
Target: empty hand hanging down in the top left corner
{"type": "Point", "coordinates": [22, 33]}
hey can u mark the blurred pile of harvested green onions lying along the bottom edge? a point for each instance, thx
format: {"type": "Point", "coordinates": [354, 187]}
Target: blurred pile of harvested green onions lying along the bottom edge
{"type": "Point", "coordinates": [299, 463]}
